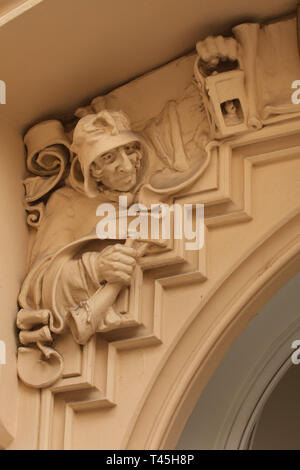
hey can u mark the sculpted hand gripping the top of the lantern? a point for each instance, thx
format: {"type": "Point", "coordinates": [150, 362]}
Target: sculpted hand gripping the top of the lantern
{"type": "Point", "coordinates": [214, 50]}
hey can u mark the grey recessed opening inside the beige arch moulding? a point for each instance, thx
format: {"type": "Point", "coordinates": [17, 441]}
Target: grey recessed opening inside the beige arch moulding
{"type": "Point", "coordinates": [237, 407]}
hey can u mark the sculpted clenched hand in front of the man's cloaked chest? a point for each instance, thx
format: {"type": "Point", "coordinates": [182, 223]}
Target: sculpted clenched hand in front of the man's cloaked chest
{"type": "Point", "coordinates": [116, 264]}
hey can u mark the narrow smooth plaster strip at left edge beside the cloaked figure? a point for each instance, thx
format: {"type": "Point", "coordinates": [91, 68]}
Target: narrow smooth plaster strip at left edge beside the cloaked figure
{"type": "Point", "coordinates": [13, 248]}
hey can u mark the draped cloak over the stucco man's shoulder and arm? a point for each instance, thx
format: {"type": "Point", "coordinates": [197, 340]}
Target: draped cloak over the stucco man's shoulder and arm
{"type": "Point", "coordinates": [63, 270]}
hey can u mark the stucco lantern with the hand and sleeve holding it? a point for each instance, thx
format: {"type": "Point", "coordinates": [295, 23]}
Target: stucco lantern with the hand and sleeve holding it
{"type": "Point", "coordinates": [246, 79]}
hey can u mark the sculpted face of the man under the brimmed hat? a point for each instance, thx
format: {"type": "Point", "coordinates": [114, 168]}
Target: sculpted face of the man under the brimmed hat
{"type": "Point", "coordinates": [117, 169]}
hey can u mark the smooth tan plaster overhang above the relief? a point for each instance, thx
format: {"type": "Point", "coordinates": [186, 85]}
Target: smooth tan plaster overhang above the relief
{"type": "Point", "coordinates": [65, 53]}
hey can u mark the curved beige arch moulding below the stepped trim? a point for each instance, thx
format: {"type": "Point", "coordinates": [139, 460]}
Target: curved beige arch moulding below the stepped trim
{"type": "Point", "coordinates": [226, 312]}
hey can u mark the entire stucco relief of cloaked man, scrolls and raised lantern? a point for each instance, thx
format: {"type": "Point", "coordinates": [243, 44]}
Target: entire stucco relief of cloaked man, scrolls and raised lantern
{"type": "Point", "coordinates": [76, 281]}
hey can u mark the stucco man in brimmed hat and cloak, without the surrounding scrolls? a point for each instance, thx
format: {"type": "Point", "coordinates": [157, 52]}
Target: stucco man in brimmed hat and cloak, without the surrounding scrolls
{"type": "Point", "coordinates": [69, 263]}
